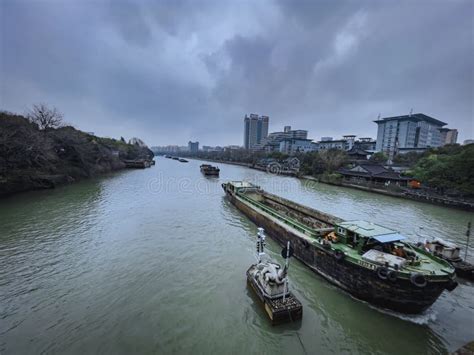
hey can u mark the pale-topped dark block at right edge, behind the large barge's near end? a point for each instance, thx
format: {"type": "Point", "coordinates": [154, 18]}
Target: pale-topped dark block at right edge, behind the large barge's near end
{"type": "Point", "coordinates": [450, 252]}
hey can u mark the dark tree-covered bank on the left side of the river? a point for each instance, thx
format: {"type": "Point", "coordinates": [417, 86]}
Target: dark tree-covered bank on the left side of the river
{"type": "Point", "coordinates": [32, 159]}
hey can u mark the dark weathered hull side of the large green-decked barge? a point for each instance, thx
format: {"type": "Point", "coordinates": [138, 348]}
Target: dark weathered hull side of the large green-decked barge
{"type": "Point", "coordinates": [402, 296]}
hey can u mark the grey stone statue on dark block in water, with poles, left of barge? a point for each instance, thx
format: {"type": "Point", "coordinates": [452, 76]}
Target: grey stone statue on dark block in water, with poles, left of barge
{"type": "Point", "coordinates": [269, 281]}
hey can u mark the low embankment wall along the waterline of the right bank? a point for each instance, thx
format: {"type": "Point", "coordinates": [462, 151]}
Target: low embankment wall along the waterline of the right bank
{"type": "Point", "coordinates": [446, 202]}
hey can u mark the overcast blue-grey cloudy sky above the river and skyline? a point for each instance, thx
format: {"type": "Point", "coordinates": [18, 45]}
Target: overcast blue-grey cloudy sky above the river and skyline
{"type": "Point", "coordinates": [173, 71]}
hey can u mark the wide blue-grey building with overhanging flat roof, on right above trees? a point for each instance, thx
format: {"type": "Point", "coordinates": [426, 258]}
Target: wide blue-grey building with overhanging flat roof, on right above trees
{"type": "Point", "coordinates": [411, 131]}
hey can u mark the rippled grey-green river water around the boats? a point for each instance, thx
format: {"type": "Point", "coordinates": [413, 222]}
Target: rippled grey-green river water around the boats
{"type": "Point", "coordinates": [154, 261]}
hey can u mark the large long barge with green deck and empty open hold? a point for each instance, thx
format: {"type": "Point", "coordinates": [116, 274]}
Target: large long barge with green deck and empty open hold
{"type": "Point", "coordinates": [369, 261]}
